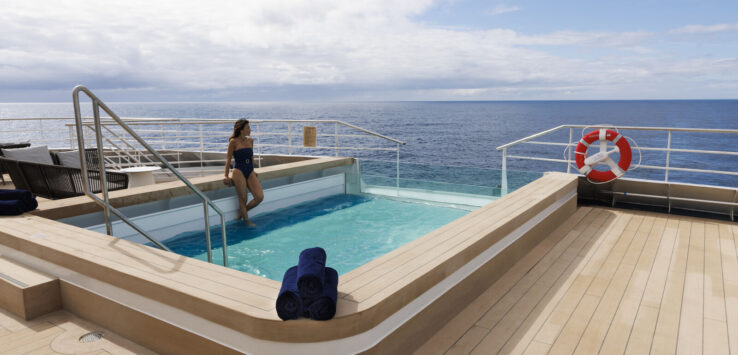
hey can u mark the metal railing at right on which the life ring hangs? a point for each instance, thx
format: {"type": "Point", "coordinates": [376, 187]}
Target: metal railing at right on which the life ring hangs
{"type": "Point", "coordinates": [667, 167]}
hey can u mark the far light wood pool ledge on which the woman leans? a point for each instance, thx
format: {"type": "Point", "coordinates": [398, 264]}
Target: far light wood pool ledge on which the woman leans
{"type": "Point", "coordinates": [75, 206]}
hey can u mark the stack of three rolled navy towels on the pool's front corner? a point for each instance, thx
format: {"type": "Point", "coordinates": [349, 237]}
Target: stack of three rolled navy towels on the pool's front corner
{"type": "Point", "coordinates": [309, 289]}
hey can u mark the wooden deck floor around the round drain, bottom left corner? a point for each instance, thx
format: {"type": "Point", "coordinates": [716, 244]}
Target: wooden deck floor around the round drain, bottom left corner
{"type": "Point", "coordinates": [59, 333]}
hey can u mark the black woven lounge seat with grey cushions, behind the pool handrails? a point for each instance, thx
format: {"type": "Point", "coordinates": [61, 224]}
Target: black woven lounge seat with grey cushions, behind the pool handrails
{"type": "Point", "coordinates": [56, 181]}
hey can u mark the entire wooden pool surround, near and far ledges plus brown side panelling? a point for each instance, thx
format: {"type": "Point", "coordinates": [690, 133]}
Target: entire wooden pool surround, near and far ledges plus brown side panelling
{"type": "Point", "coordinates": [243, 302]}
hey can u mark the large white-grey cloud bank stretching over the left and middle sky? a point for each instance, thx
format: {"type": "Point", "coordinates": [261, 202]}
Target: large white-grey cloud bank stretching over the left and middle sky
{"type": "Point", "coordinates": [338, 49]}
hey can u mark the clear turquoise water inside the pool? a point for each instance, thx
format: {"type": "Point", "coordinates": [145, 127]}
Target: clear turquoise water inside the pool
{"type": "Point", "coordinates": [353, 230]}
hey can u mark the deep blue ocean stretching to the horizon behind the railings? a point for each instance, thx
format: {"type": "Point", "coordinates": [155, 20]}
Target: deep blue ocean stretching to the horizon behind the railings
{"type": "Point", "coordinates": [465, 134]}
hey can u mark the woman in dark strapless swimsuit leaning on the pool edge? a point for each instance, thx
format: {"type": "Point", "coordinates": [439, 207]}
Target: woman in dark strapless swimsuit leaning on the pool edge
{"type": "Point", "coordinates": [241, 147]}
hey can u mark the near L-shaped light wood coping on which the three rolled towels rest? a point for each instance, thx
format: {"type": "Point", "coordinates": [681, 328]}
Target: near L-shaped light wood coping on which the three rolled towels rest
{"type": "Point", "coordinates": [244, 302]}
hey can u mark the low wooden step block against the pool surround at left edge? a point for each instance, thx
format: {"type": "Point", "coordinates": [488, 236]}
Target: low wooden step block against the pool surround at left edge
{"type": "Point", "coordinates": [25, 292]}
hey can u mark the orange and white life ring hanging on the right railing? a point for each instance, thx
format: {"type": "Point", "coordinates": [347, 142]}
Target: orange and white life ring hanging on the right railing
{"type": "Point", "coordinates": [585, 163]}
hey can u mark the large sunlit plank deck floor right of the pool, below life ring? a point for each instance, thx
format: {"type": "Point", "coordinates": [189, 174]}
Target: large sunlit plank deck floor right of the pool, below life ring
{"type": "Point", "coordinates": [612, 282]}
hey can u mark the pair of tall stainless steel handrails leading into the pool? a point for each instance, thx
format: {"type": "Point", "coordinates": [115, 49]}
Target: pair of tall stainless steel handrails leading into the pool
{"type": "Point", "coordinates": [105, 202]}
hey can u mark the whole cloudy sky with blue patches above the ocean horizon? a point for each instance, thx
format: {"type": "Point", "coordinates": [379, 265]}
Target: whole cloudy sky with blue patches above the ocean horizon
{"type": "Point", "coordinates": [337, 50]}
